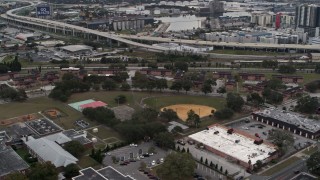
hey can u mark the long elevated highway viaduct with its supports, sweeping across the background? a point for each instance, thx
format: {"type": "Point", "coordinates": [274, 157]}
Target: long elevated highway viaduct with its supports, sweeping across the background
{"type": "Point", "coordinates": [77, 31]}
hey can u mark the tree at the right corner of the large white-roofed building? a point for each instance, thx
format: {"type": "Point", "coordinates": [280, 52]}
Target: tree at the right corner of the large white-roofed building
{"type": "Point", "coordinates": [282, 139]}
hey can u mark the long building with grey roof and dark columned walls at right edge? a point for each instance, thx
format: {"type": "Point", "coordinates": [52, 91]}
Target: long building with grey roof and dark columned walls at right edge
{"type": "Point", "coordinates": [290, 121]}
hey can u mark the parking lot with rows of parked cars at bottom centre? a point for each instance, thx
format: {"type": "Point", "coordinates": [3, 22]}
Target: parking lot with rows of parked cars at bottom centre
{"type": "Point", "coordinates": [130, 152]}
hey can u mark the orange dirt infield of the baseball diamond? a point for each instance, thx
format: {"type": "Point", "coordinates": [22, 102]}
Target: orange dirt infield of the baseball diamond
{"type": "Point", "coordinates": [183, 109]}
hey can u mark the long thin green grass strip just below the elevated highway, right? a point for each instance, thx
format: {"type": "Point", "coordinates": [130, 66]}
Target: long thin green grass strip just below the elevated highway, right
{"type": "Point", "coordinates": [247, 52]}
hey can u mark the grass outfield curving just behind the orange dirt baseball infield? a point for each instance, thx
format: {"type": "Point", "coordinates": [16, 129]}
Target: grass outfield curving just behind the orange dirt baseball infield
{"type": "Point", "coordinates": [159, 102]}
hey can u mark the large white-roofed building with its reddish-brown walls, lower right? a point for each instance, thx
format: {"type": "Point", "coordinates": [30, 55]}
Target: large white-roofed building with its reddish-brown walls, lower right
{"type": "Point", "coordinates": [235, 145]}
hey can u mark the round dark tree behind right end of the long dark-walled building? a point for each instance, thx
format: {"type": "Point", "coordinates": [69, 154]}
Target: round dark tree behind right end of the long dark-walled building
{"type": "Point", "coordinates": [307, 104]}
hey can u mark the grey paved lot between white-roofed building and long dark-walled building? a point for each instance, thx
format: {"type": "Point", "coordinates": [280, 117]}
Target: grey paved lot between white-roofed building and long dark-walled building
{"type": "Point", "coordinates": [262, 130]}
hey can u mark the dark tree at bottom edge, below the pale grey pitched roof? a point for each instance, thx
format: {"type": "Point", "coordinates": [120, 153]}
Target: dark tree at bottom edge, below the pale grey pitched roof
{"type": "Point", "coordinates": [43, 171]}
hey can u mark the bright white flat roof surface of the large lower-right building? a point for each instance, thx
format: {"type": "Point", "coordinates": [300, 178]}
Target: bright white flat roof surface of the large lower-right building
{"type": "Point", "coordinates": [244, 150]}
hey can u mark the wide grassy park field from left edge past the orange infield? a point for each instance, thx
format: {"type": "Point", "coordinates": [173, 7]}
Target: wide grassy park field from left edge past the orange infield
{"type": "Point", "coordinates": [35, 105]}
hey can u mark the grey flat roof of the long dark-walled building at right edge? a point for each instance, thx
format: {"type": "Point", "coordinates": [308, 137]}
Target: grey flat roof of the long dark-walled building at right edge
{"type": "Point", "coordinates": [291, 118]}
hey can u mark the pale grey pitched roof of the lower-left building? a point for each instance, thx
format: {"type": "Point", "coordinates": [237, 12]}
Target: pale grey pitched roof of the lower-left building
{"type": "Point", "coordinates": [50, 151]}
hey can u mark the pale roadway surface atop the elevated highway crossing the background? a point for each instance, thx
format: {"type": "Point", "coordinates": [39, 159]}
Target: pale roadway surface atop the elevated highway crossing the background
{"type": "Point", "coordinates": [125, 38]}
